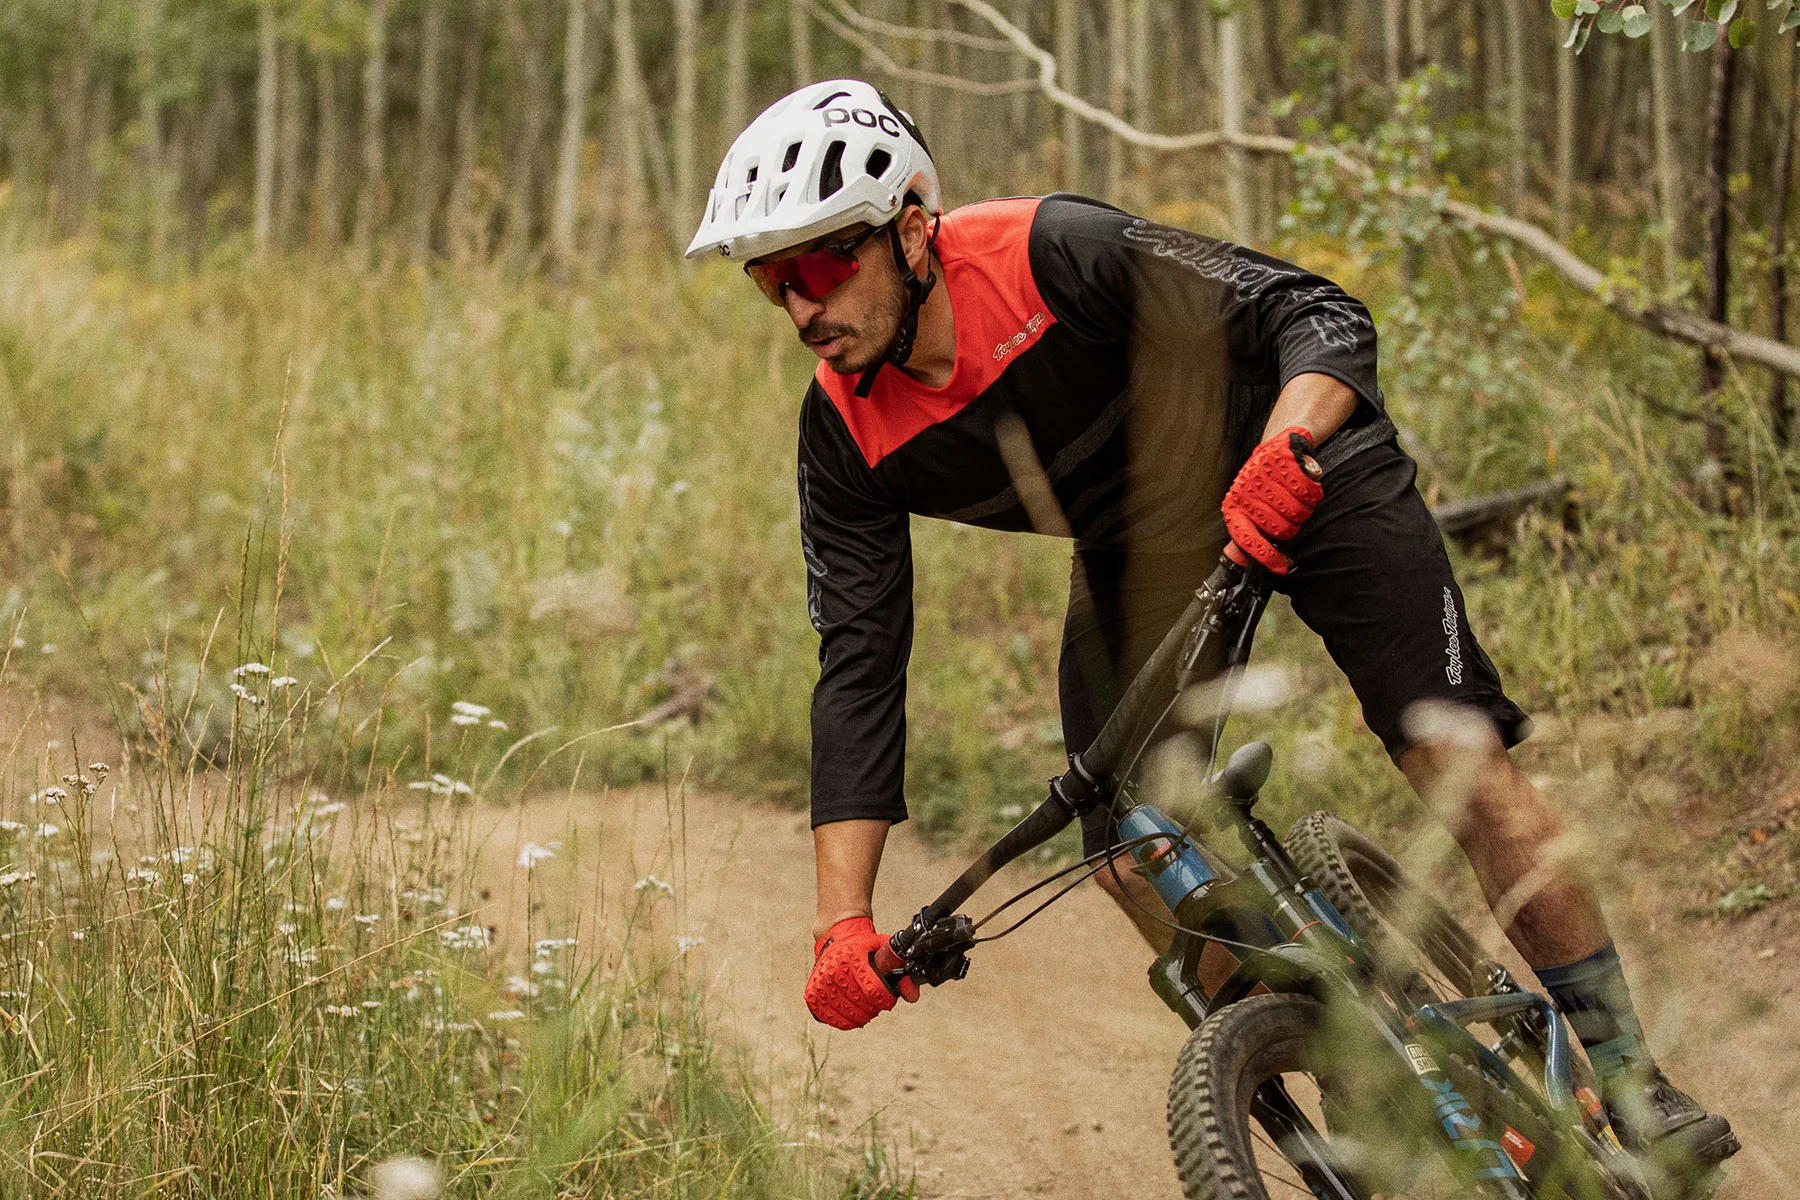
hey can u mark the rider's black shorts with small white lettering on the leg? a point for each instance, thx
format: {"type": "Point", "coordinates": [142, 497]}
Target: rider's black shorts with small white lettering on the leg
{"type": "Point", "coordinates": [1371, 578]}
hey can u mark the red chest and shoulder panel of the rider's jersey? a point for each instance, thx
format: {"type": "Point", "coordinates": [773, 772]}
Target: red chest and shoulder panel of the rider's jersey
{"type": "Point", "coordinates": [987, 273]}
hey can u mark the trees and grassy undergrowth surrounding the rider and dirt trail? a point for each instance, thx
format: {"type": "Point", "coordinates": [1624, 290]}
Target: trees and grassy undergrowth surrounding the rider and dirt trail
{"type": "Point", "coordinates": [348, 339]}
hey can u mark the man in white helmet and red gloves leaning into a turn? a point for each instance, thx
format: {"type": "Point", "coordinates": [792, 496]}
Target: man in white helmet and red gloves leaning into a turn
{"type": "Point", "coordinates": [1063, 366]}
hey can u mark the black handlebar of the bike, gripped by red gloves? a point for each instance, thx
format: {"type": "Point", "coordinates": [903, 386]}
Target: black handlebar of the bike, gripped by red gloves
{"type": "Point", "coordinates": [931, 947]}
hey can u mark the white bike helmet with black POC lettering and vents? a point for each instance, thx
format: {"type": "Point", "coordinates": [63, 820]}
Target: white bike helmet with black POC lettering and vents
{"type": "Point", "coordinates": [816, 161]}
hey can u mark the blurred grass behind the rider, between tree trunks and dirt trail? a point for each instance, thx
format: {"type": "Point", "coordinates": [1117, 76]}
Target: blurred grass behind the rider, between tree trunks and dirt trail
{"type": "Point", "coordinates": [568, 499]}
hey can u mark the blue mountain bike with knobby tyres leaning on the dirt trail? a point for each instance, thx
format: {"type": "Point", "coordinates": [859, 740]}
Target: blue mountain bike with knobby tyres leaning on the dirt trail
{"type": "Point", "coordinates": [1349, 1039]}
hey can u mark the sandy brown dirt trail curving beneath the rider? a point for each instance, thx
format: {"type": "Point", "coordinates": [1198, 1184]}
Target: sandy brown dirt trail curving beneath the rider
{"type": "Point", "coordinates": [1045, 1073]}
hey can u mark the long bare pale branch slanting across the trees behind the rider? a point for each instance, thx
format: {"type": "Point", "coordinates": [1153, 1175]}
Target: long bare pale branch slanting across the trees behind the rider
{"type": "Point", "coordinates": [1660, 319]}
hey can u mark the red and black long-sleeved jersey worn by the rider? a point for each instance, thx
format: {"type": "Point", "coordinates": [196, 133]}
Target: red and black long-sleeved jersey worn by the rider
{"type": "Point", "coordinates": [1140, 361]}
